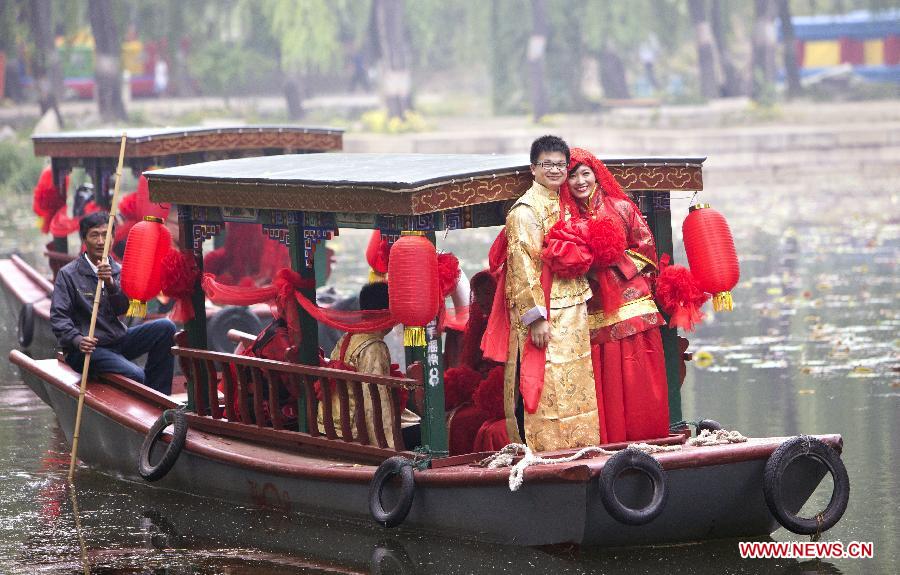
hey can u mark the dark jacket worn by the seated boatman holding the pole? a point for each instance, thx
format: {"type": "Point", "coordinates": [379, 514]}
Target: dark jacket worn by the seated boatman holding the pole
{"type": "Point", "coordinates": [73, 301]}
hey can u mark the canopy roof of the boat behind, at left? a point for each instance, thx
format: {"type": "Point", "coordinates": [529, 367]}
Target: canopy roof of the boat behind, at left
{"type": "Point", "coordinates": [169, 141]}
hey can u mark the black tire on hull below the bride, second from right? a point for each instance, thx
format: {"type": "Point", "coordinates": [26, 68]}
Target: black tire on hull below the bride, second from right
{"type": "Point", "coordinates": [640, 461]}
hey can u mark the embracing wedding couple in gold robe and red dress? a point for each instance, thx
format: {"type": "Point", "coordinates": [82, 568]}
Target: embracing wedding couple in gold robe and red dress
{"type": "Point", "coordinates": [584, 359]}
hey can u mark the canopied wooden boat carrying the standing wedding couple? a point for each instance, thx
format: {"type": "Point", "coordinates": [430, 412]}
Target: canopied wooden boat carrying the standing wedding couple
{"type": "Point", "coordinates": [233, 451]}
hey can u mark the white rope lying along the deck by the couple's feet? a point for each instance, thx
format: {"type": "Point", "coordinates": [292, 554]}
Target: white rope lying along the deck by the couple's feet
{"type": "Point", "coordinates": [506, 456]}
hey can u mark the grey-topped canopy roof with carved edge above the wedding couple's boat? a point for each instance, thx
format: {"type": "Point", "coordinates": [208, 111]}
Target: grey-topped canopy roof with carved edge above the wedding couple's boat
{"type": "Point", "coordinates": [386, 184]}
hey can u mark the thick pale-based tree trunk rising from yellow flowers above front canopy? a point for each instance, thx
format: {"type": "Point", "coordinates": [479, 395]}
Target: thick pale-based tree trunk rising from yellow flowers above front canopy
{"type": "Point", "coordinates": [394, 45]}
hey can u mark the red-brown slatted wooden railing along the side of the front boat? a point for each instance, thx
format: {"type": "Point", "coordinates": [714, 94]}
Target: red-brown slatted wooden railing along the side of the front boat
{"type": "Point", "coordinates": [252, 387]}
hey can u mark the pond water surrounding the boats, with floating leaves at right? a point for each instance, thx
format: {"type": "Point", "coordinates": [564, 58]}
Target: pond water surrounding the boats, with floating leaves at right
{"type": "Point", "coordinates": [812, 347]}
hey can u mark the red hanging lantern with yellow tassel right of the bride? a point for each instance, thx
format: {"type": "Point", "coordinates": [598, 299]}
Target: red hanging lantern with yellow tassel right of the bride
{"type": "Point", "coordinates": [711, 254]}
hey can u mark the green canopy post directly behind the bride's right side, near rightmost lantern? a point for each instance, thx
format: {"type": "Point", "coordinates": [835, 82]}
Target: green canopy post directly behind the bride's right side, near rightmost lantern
{"type": "Point", "coordinates": [659, 218]}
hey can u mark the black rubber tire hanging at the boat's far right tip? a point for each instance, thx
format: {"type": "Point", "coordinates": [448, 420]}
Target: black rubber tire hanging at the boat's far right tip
{"type": "Point", "coordinates": [777, 464]}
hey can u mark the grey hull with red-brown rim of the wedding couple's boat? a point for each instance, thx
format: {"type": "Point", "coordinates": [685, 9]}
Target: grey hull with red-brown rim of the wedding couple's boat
{"type": "Point", "coordinates": [714, 492]}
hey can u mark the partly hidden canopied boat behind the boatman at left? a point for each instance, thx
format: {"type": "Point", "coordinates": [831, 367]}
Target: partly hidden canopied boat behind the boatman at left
{"type": "Point", "coordinates": [96, 151]}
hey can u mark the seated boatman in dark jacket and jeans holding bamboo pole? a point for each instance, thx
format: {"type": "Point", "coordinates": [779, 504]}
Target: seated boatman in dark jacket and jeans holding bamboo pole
{"type": "Point", "coordinates": [113, 345]}
